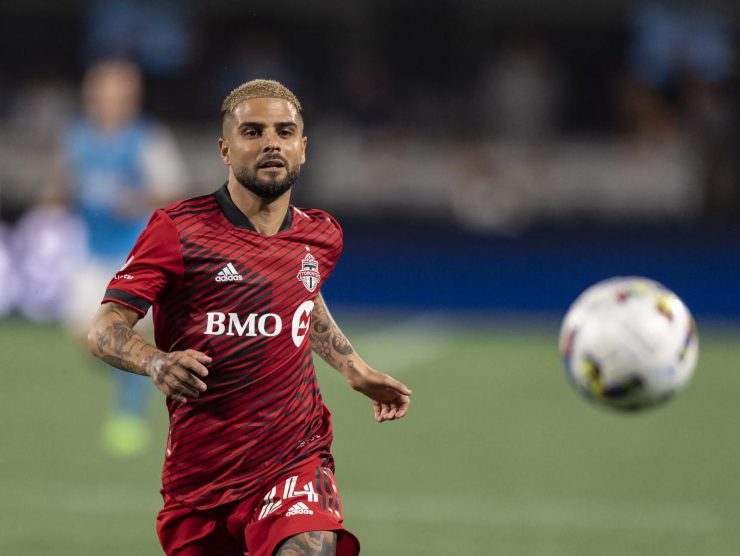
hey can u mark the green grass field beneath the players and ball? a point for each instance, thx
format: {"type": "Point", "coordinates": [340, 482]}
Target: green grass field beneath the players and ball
{"type": "Point", "coordinates": [498, 456]}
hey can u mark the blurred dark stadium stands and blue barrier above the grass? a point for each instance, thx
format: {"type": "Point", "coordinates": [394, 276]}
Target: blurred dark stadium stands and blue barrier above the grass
{"type": "Point", "coordinates": [482, 156]}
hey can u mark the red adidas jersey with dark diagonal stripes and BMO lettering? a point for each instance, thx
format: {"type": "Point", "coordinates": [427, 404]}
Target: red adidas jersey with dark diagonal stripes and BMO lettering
{"type": "Point", "coordinates": [218, 286]}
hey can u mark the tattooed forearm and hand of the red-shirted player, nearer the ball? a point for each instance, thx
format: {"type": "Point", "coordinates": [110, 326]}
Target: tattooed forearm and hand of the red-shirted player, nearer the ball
{"type": "Point", "coordinates": [391, 399]}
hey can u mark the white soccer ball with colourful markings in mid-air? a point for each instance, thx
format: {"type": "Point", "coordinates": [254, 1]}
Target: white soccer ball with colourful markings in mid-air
{"type": "Point", "coordinates": [629, 343]}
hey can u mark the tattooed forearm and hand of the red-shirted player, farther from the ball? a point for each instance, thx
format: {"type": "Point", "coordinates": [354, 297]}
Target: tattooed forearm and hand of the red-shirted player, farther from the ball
{"type": "Point", "coordinates": [112, 338]}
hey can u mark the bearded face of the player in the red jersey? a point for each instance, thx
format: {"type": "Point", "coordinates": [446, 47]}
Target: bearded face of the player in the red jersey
{"type": "Point", "coordinates": [264, 145]}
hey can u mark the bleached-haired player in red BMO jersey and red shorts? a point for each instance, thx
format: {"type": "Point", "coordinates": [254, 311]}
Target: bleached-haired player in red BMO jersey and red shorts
{"type": "Point", "coordinates": [234, 279]}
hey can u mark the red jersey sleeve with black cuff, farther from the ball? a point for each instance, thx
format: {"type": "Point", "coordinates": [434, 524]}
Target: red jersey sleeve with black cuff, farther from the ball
{"type": "Point", "coordinates": [154, 265]}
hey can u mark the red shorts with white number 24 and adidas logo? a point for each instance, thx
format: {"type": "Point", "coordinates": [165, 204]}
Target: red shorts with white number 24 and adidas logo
{"type": "Point", "coordinates": [305, 499]}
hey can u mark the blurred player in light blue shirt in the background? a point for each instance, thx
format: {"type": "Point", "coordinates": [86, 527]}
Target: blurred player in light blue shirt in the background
{"type": "Point", "coordinates": [113, 169]}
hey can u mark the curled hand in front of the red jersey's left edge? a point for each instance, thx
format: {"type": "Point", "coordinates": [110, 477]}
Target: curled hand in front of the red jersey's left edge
{"type": "Point", "coordinates": [176, 373]}
